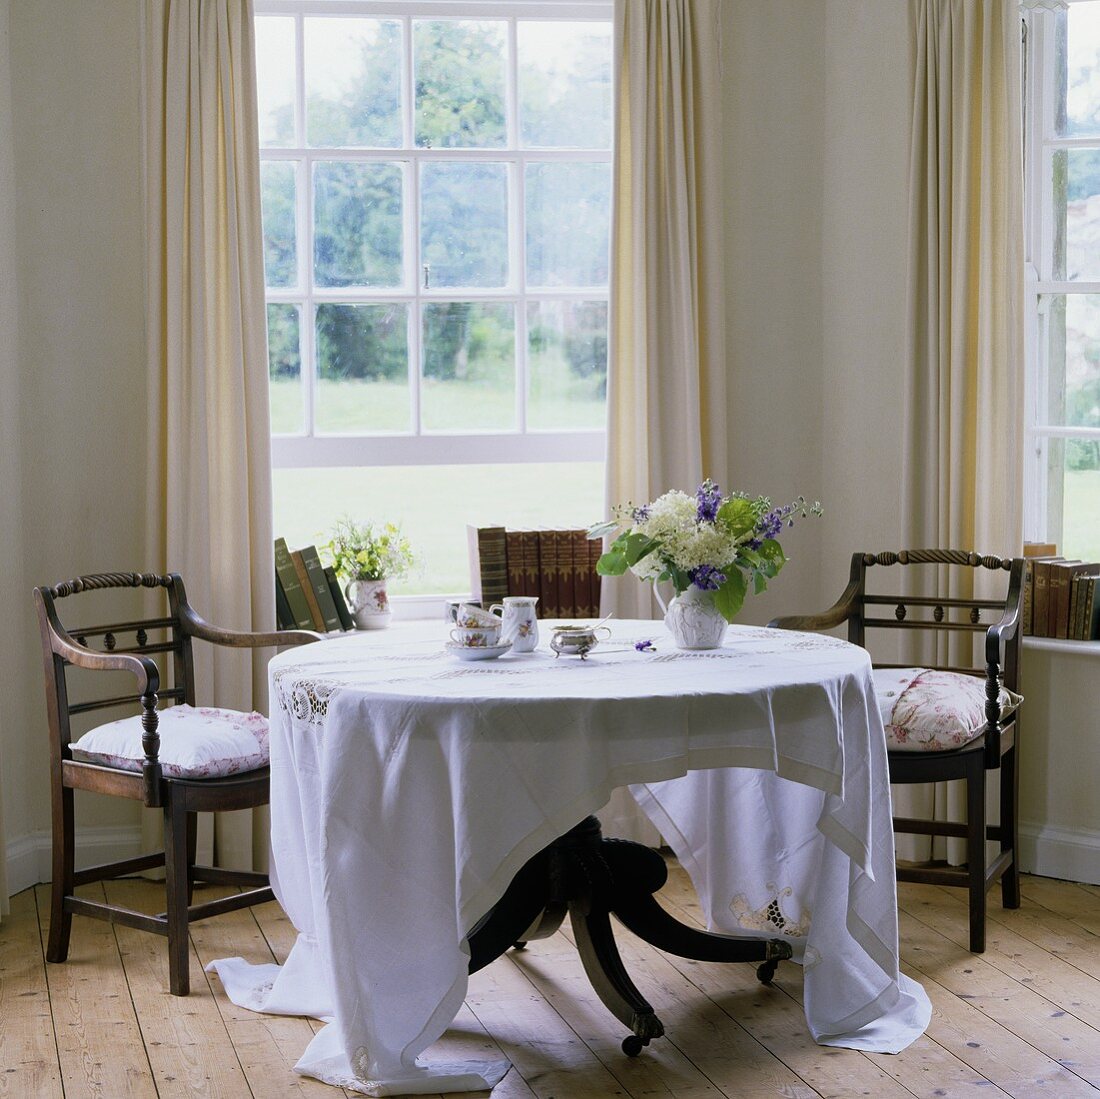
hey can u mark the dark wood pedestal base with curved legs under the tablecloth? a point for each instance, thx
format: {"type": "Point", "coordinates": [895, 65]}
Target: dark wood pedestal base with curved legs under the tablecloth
{"type": "Point", "coordinates": [592, 878]}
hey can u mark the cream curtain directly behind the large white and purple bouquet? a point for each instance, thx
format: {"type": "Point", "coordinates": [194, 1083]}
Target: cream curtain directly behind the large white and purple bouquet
{"type": "Point", "coordinates": [667, 369]}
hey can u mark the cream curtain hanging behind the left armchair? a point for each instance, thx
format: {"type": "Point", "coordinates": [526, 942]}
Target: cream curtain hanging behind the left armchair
{"type": "Point", "coordinates": [210, 449]}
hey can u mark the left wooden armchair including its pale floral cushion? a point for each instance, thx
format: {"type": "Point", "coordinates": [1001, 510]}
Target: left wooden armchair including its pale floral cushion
{"type": "Point", "coordinates": [210, 761]}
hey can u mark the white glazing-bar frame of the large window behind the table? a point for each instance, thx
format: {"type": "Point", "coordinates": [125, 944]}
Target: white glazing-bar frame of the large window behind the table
{"type": "Point", "coordinates": [521, 444]}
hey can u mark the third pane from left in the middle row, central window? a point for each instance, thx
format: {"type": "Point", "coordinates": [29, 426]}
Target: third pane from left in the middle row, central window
{"type": "Point", "coordinates": [465, 224]}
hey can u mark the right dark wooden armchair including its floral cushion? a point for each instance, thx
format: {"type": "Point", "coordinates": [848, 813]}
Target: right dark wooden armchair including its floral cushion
{"type": "Point", "coordinates": [965, 731]}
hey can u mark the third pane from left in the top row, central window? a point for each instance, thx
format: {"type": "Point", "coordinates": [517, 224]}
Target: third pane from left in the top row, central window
{"type": "Point", "coordinates": [459, 84]}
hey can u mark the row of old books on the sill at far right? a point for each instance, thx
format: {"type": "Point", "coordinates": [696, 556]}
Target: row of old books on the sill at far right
{"type": "Point", "coordinates": [1062, 599]}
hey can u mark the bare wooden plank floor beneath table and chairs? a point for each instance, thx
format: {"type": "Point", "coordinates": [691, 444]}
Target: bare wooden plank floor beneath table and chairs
{"type": "Point", "coordinates": [1021, 1021]}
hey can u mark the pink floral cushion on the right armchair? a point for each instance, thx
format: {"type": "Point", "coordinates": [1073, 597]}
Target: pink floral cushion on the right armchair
{"type": "Point", "coordinates": [925, 710]}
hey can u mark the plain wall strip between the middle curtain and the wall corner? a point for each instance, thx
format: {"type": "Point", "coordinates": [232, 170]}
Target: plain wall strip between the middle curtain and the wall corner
{"type": "Point", "coordinates": [774, 89]}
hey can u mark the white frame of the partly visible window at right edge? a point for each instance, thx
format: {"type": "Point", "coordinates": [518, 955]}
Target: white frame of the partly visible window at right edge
{"type": "Point", "coordinates": [1043, 502]}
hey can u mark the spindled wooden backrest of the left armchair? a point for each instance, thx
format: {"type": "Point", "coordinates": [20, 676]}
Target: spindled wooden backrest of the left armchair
{"type": "Point", "coordinates": [145, 647]}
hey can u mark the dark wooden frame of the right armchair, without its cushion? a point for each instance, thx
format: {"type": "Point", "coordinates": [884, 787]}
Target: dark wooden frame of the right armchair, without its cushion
{"type": "Point", "coordinates": [994, 750]}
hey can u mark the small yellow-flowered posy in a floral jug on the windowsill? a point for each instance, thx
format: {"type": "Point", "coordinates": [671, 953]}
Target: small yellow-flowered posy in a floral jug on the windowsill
{"type": "Point", "coordinates": [367, 556]}
